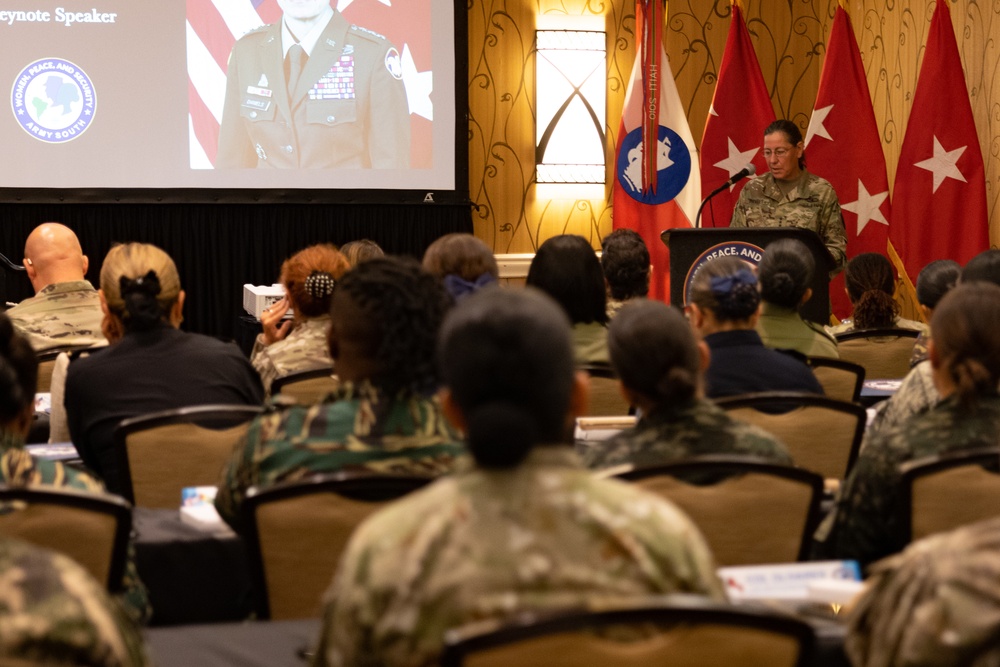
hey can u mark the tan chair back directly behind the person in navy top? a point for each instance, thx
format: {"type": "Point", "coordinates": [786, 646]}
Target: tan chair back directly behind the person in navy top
{"type": "Point", "coordinates": [822, 434]}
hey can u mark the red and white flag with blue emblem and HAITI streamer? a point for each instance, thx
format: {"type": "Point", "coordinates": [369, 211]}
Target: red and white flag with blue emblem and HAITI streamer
{"type": "Point", "coordinates": [656, 186]}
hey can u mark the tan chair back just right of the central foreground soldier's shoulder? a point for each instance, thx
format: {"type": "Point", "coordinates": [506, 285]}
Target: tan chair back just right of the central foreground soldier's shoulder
{"type": "Point", "coordinates": [756, 513]}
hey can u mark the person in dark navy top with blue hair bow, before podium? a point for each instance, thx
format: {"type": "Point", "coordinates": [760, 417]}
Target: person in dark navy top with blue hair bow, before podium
{"type": "Point", "coordinates": [724, 301]}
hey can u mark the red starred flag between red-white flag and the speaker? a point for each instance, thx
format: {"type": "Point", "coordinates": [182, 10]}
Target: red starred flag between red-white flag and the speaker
{"type": "Point", "coordinates": [734, 133]}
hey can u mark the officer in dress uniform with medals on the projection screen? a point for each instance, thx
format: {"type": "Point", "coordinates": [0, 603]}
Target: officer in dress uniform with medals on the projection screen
{"type": "Point", "coordinates": [314, 92]}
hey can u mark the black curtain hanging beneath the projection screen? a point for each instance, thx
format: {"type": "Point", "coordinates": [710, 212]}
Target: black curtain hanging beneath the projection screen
{"type": "Point", "coordinates": [219, 247]}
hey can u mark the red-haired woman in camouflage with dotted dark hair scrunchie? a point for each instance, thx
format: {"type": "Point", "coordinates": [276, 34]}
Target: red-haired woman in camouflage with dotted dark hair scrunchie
{"type": "Point", "coordinates": [299, 344]}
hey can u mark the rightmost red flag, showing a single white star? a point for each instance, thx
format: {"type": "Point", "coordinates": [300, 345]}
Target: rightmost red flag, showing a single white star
{"type": "Point", "coordinates": [939, 198]}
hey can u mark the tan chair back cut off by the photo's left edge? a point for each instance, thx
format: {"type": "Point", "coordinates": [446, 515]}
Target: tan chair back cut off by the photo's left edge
{"type": "Point", "coordinates": [91, 529]}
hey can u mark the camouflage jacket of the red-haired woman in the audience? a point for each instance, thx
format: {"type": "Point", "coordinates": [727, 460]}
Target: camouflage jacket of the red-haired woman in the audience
{"type": "Point", "coordinates": [303, 349]}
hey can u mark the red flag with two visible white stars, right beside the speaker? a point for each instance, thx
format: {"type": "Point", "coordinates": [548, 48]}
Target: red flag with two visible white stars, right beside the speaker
{"type": "Point", "coordinates": [843, 146]}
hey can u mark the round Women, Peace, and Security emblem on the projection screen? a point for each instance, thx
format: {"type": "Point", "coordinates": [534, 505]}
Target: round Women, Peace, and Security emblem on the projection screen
{"type": "Point", "coordinates": [53, 100]}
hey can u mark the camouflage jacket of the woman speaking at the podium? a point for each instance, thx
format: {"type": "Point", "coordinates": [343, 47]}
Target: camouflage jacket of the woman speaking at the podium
{"type": "Point", "coordinates": [812, 205]}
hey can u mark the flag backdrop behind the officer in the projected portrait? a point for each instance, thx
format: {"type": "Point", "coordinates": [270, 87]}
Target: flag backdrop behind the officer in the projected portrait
{"type": "Point", "coordinates": [213, 26]}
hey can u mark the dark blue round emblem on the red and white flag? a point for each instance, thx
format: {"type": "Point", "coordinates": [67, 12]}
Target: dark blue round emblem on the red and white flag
{"type": "Point", "coordinates": [673, 166]}
